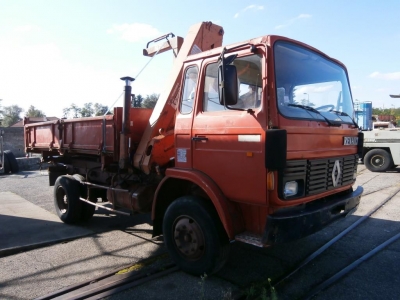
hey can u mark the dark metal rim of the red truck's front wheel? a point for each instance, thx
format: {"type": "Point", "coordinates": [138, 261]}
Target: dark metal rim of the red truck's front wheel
{"type": "Point", "coordinates": [189, 238]}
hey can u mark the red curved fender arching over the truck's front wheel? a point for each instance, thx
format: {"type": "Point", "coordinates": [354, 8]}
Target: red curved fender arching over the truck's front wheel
{"type": "Point", "coordinates": [221, 204]}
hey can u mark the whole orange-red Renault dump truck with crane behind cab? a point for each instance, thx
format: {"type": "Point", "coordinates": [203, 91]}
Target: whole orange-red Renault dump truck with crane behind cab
{"type": "Point", "coordinates": [253, 142]}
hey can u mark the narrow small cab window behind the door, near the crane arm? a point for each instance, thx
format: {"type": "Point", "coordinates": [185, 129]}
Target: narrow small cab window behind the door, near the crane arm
{"type": "Point", "coordinates": [189, 90]}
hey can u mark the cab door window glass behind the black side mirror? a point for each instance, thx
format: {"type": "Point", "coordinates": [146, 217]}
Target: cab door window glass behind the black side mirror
{"type": "Point", "coordinates": [250, 85]}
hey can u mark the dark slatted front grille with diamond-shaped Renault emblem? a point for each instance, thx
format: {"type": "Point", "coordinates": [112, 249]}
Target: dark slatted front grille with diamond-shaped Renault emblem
{"type": "Point", "coordinates": [316, 174]}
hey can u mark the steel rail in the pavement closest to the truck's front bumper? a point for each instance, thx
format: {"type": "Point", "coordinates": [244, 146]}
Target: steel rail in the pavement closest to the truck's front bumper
{"type": "Point", "coordinates": [335, 239]}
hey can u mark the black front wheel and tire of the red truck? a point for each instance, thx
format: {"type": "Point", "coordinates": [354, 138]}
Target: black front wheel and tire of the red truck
{"type": "Point", "coordinates": [194, 236]}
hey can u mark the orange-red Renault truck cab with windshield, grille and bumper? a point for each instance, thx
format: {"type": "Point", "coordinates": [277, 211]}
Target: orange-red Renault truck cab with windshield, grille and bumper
{"type": "Point", "coordinates": [283, 154]}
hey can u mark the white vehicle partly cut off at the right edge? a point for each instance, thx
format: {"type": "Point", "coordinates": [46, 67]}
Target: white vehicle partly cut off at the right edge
{"type": "Point", "coordinates": [381, 151]}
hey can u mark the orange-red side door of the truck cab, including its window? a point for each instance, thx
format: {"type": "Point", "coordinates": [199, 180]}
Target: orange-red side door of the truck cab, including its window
{"type": "Point", "coordinates": [228, 145]}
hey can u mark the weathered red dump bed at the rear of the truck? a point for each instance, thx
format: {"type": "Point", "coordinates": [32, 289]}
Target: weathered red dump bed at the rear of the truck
{"type": "Point", "coordinates": [93, 135]}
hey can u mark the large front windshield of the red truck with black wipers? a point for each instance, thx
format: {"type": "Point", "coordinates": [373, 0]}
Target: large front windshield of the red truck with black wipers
{"type": "Point", "coordinates": [307, 79]}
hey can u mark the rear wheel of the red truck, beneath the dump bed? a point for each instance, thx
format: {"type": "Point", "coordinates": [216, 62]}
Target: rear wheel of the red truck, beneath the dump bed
{"type": "Point", "coordinates": [66, 199]}
